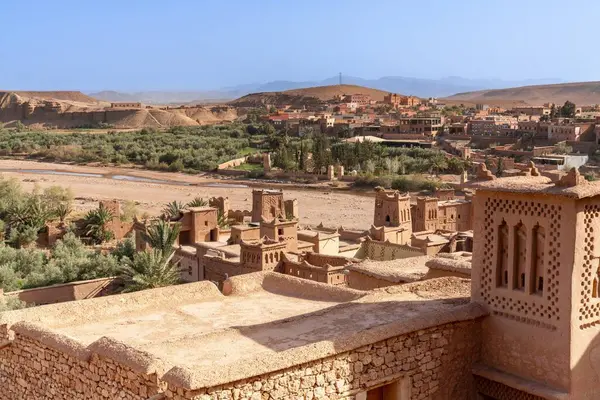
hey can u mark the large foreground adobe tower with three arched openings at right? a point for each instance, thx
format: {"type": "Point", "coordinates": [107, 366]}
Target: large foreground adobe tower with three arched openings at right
{"type": "Point", "coordinates": [535, 270]}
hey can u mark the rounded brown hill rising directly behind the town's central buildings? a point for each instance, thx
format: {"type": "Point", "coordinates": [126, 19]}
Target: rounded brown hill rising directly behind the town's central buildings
{"type": "Point", "coordinates": [305, 96]}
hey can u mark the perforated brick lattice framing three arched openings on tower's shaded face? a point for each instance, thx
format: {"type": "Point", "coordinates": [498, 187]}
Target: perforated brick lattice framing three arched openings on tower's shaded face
{"type": "Point", "coordinates": [536, 310]}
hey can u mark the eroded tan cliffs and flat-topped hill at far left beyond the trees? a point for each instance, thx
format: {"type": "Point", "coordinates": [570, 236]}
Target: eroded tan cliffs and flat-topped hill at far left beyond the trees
{"type": "Point", "coordinates": [74, 109]}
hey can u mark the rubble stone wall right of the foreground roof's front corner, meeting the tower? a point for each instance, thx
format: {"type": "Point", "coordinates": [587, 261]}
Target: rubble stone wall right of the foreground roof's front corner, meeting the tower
{"type": "Point", "coordinates": [436, 362]}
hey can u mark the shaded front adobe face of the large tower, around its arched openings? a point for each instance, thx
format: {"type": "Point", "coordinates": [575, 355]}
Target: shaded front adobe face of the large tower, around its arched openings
{"type": "Point", "coordinates": [516, 317]}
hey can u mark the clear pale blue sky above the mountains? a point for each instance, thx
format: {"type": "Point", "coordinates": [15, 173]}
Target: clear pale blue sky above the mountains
{"type": "Point", "coordinates": [203, 44]}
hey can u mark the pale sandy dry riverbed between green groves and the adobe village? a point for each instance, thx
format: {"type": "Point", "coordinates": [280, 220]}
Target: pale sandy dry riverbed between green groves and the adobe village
{"type": "Point", "coordinates": [333, 209]}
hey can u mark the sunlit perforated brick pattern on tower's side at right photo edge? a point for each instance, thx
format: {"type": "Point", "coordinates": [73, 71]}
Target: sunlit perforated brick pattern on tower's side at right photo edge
{"type": "Point", "coordinates": [589, 309]}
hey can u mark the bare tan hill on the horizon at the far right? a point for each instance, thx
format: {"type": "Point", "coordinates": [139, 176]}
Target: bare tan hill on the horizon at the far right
{"type": "Point", "coordinates": [581, 93]}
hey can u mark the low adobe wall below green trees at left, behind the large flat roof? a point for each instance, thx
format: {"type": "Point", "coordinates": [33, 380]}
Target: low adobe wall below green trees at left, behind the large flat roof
{"type": "Point", "coordinates": [67, 291]}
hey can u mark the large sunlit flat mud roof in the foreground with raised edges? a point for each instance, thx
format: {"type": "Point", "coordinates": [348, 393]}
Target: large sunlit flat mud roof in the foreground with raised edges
{"type": "Point", "coordinates": [194, 337]}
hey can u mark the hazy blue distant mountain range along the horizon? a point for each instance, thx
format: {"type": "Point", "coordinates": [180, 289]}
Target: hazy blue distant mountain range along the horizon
{"type": "Point", "coordinates": [397, 84]}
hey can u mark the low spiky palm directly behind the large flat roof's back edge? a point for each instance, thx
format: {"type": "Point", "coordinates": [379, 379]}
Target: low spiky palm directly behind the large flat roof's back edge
{"type": "Point", "coordinates": [149, 270]}
